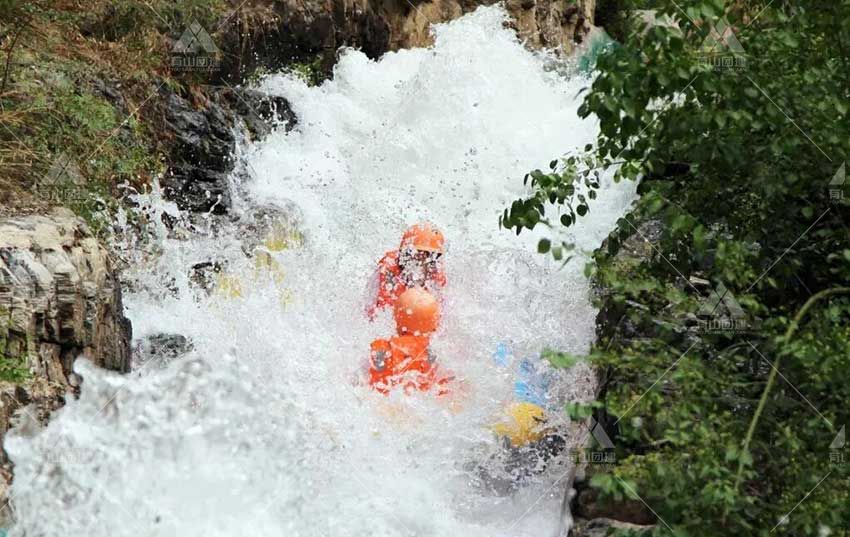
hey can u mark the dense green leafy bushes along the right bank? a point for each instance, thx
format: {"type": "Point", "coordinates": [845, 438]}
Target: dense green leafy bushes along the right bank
{"type": "Point", "coordinates": [725, 345]}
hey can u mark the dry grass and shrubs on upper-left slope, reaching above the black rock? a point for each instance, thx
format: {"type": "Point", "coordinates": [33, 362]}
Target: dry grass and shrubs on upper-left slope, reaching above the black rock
{"type": "Point", "coordinates": [85, 88]}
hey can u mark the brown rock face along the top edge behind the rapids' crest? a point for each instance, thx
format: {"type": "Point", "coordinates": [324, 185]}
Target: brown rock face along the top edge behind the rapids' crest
{"type": "Point", "coordinates": [303, 29]}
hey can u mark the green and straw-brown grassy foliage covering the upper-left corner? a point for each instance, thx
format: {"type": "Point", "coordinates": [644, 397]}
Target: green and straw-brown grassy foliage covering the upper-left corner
{"type": "Point", "coordinates": [76, 81]}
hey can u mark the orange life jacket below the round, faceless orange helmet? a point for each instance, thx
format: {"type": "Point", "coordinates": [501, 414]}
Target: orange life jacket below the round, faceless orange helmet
{"type": "Point", "coordinates": [405, 361]}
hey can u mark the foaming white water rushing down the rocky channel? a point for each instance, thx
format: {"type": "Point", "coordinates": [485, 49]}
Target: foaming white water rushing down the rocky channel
{"type": "Point", "coordinates": [260, 431]}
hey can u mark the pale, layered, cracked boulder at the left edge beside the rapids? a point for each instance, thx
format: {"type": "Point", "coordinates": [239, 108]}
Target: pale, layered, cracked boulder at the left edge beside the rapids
{"type": "Point", "coordinates": [59, 300]}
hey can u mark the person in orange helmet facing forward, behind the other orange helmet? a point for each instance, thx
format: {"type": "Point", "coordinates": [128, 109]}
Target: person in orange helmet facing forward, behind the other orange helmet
{"type": "Point", "coordinates": [416, 264]}
